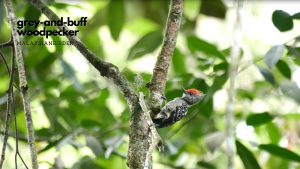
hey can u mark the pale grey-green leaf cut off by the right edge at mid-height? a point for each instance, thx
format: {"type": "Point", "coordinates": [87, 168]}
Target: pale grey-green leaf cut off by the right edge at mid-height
{"type": "Point", "coordinates": [291, 89]}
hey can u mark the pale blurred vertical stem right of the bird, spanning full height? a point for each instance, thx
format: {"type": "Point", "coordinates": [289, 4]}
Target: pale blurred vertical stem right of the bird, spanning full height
{"type": "Point", "coordinates": [234, 57]}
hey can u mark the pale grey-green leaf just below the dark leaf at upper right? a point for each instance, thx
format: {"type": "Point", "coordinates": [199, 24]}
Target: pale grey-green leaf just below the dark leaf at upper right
{"type": "Point", "coordinates": [273, 55]}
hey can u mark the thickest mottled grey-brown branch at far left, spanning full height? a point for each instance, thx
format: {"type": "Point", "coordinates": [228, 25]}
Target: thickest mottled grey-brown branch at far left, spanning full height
{"type": "Point", "coordinates": [23, 83]}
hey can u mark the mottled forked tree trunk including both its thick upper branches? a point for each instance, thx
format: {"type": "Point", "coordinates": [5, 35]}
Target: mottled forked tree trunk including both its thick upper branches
{"type": "Point", "coordinates": [139, 129]}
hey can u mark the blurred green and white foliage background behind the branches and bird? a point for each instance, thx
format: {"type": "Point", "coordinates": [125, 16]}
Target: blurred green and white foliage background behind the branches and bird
{"type": "Point", "coordinates": [81, 120]}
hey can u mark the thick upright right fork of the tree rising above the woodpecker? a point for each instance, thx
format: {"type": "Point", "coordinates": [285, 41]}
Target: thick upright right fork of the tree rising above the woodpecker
{"type": "Point", "coordinates": [158, 81]}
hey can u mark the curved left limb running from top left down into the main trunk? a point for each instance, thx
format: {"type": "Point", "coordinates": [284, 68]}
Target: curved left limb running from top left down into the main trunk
{"type": "Point", "coordinates": [138, 145]}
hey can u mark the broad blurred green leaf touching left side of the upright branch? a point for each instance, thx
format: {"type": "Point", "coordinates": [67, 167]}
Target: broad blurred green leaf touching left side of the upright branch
{"type": "Point", "coordinates": [146, 44]}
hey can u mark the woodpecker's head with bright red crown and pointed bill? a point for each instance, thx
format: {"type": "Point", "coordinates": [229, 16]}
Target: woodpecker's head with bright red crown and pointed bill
{"type": "Point", "coordinates": [192, 96]}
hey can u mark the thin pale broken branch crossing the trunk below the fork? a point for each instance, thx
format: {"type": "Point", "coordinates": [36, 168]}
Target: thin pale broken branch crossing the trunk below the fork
{"type": "Point", "coordinates": [157, 140]}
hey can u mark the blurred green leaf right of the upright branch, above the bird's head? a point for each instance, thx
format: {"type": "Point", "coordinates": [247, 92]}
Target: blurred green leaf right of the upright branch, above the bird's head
{"type": "Point", "coordinates": [196, 44]}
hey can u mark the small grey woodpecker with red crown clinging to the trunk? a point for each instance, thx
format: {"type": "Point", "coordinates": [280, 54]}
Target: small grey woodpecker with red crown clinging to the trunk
{"type": "Point", "coordinates": [176, 109]}
